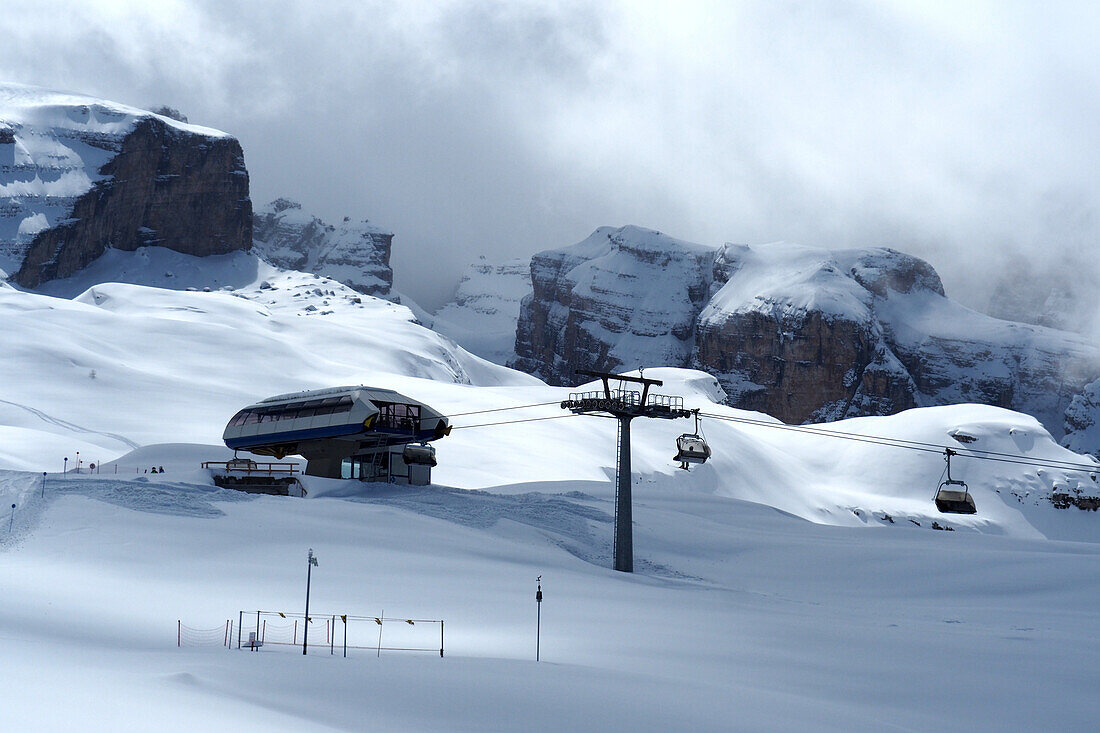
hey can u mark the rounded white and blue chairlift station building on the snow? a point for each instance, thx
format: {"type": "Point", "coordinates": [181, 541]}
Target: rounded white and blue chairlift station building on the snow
{"type": "Point", "coordinates": [345, 433]}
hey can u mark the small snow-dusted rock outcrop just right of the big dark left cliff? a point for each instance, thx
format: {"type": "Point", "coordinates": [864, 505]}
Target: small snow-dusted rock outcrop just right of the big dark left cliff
{"type": "Point", "coordinates": [356, 254]}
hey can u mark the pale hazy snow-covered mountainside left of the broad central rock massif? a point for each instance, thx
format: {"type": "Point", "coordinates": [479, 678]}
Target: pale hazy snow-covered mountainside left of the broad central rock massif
{"type": "Point", "coordinates": [483, 314]}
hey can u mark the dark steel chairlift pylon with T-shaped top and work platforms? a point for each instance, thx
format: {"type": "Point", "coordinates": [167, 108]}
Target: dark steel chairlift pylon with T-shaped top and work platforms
{"type": "Point", "coordinates": [625, 406]}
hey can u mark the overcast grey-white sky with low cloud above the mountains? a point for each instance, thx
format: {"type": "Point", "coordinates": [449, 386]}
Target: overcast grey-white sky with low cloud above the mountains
{"type": "Point", "coordinates": [965, 133]}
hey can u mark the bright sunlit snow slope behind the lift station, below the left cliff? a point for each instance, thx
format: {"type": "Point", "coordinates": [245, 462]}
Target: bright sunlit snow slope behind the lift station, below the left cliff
{"type": "Point", "coordinates": [127, 365]}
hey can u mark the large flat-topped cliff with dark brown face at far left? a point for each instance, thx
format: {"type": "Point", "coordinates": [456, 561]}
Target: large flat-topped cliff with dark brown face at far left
{"type": "Point", "coordinates": [80, 176]}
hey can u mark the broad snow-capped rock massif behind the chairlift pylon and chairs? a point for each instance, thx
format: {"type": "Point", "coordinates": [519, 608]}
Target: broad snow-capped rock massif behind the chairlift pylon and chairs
{"type": "Point", "coordinates": [800, 333]}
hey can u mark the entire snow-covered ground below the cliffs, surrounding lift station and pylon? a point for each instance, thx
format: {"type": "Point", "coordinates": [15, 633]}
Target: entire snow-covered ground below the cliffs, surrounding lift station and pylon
{"type": "Point", "coordinates": [793, 583]}
